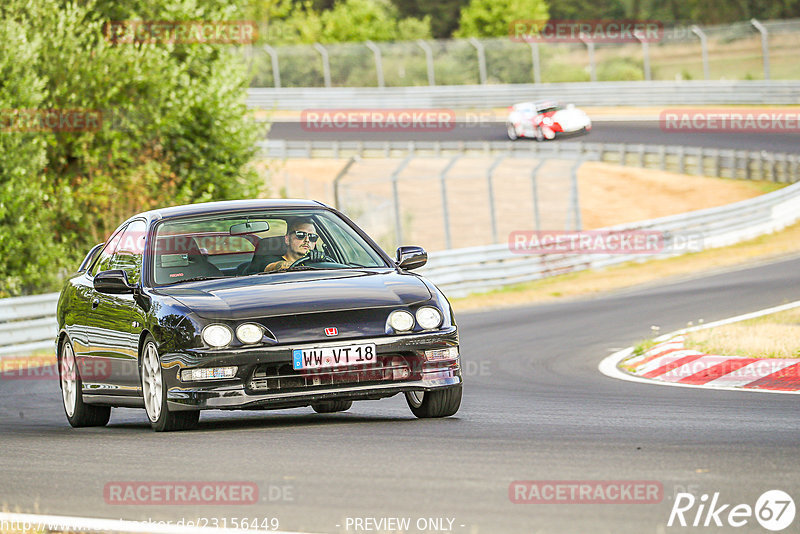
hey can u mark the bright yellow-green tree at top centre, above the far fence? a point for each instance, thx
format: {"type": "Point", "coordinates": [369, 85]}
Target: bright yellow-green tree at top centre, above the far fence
{"type": "Point", "coordinates": [492, 18]}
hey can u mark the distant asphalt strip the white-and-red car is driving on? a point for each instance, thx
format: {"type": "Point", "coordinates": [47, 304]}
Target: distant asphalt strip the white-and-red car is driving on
{"type": "Point", "coordinates": [633, 132]}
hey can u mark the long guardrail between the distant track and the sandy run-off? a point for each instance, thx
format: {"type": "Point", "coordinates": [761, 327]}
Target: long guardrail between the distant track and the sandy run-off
{"type": "Point", "coordinates": [725, 163]}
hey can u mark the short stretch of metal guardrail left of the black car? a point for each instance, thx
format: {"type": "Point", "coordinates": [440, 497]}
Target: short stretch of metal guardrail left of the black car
{"type": "Point", "coordinates": [28, 323]}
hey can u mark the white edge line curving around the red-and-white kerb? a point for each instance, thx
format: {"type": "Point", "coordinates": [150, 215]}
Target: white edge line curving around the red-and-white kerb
{"type": "Point", "coordinates": [609, 365]}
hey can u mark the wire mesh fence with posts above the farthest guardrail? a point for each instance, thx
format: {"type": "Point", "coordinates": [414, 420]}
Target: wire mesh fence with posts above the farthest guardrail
{"type": "Point", "coordinates": [741, 51]}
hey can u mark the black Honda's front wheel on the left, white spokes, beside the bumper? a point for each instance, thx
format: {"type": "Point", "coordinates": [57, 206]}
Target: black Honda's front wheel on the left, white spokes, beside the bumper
{"type": "Point", "coordinates": [154, 393]}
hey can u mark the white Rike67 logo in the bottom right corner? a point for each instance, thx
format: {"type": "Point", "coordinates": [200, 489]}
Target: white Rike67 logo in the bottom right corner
{"type": "Point", "coordinates": [774, 510]}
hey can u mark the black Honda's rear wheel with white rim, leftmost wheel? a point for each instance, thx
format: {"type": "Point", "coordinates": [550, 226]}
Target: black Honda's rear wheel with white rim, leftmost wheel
{"type": "Point", "coordinates": [79, 414]}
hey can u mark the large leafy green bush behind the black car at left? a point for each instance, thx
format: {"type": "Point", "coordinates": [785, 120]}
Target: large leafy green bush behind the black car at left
{"type": "Point", "coordinates": [174, 130]}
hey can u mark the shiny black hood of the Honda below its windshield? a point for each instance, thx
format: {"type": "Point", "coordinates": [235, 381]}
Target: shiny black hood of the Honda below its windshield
{"type": "Point", "coordinates": [282, 294]}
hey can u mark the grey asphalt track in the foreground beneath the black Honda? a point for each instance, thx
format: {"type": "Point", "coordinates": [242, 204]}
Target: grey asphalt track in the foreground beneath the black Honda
{"type": "Point", "coordinates": [535, 407]}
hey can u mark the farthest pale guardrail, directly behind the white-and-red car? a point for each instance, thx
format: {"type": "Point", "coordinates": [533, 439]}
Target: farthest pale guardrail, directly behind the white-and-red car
{"type": "Point", "coordinates": [654, 93]}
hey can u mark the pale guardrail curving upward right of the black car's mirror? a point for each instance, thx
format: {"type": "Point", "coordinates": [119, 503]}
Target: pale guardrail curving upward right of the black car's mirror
{"type": "Point", "coordinates": [460, 272]}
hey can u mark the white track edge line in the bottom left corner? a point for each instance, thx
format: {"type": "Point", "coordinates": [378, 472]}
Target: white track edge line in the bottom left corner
{"type": "Point", "coordinates": [69, 523]}
